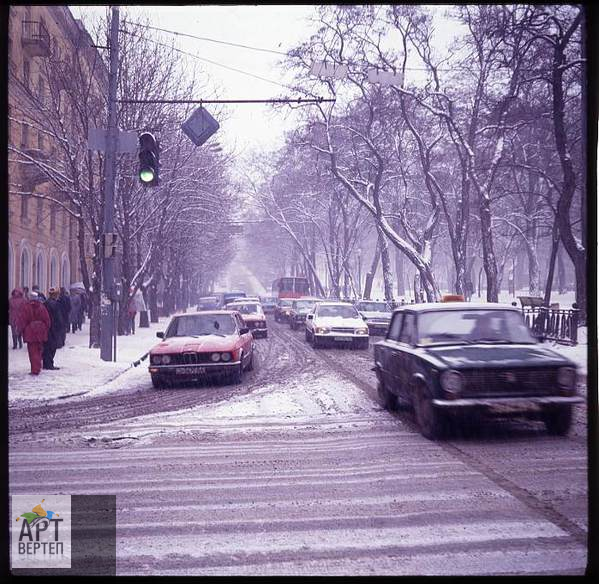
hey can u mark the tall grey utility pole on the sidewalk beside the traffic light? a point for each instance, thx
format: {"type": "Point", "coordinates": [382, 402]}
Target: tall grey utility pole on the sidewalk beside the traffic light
{"type": "Point", "coordinates": [107, 294]}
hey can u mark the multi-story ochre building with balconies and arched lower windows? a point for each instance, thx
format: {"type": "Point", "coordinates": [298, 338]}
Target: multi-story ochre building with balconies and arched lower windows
{"type": "Point", "coordinates": [50, 54]}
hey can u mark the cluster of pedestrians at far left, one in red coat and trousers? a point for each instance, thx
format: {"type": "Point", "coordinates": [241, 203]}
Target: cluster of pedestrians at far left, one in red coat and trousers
{"type": "Point", "coordinates": [43, 322]}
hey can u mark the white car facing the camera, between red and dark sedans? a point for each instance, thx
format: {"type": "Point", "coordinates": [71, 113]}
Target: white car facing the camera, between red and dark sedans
{"type": "Point", "coordinates": [336, 322]}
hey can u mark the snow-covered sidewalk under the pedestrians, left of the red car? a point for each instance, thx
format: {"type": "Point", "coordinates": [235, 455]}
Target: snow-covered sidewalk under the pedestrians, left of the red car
{"type": "Point", "coordinates": [81, 369]}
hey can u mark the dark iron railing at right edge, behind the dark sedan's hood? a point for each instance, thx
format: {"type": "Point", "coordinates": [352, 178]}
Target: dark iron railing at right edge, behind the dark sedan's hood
{"type": "Point", "coordinates": [552, 323]}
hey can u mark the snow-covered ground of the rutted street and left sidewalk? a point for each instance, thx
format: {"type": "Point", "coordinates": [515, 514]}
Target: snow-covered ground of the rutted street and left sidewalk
{"type": "Point", "coordinates": [298, 470]}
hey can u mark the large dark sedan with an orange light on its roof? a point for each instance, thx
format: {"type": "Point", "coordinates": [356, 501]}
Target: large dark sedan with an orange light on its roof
{"type": "Point", "coordinates": [454, 360]}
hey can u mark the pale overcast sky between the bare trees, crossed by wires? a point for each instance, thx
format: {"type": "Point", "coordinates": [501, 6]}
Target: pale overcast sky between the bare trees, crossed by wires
{"type": "Point", "coordinates": [274, 27]}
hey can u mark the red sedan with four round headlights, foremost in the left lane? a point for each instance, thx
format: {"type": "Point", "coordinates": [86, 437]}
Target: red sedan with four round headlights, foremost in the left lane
{"type": "Point", "coordinates": [202, 344]}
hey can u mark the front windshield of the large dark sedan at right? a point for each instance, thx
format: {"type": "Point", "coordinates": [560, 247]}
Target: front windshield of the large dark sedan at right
{"type": "Point", "coordinates": [472, 326]}
